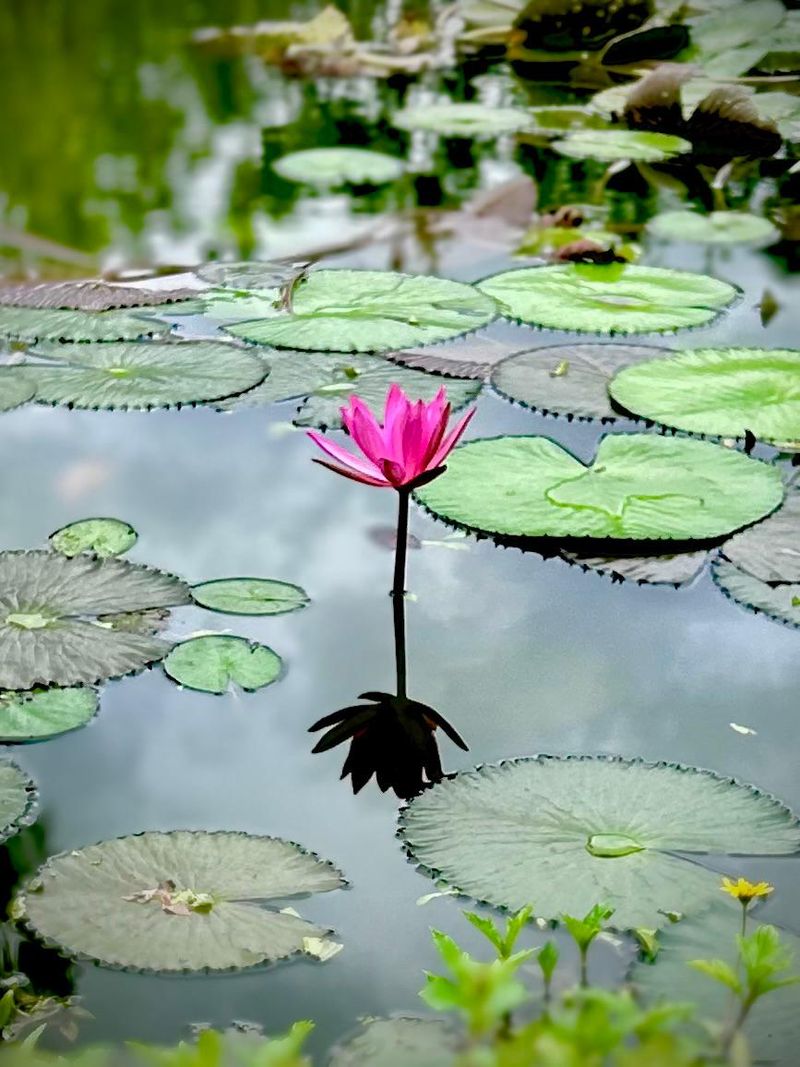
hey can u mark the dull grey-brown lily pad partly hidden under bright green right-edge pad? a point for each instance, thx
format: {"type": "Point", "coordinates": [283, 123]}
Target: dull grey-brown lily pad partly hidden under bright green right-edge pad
{"type": "Point", "coordinates": [569, 380]}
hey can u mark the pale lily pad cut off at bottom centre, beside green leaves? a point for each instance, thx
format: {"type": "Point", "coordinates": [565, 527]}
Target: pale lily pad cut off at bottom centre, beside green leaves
{"type": "Point", "coordinates": [398, 1043]}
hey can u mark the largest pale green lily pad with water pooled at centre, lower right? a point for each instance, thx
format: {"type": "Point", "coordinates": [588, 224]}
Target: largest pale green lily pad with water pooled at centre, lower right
{"type": "Point", "coordinates": [563, 834]}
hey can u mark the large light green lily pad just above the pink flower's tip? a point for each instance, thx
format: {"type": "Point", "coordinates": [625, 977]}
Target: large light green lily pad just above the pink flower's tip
{"type": "Point", "coordinates": [353, 311]}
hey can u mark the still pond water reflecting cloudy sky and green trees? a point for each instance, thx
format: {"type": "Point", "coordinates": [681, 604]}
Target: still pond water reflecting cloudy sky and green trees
{"type": "Point", "coordinates": [127, 148]}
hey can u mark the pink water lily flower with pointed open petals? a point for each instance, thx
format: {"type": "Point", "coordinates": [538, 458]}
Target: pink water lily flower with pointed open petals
{"type": "Point", "coordinates": [408, 450]}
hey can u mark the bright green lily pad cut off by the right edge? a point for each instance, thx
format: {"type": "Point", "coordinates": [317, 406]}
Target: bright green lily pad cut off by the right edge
{"type": "Point", "coordinates": [723, 392]}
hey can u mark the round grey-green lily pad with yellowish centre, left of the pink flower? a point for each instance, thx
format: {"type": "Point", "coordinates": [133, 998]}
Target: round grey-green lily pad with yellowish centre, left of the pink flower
{"type": "Point", "coordinates": [140, 377]}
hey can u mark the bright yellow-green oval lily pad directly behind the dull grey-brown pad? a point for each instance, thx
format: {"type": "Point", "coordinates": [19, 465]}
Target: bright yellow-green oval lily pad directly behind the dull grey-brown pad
{"type": "Point", "coordinates": [614, 298]}
